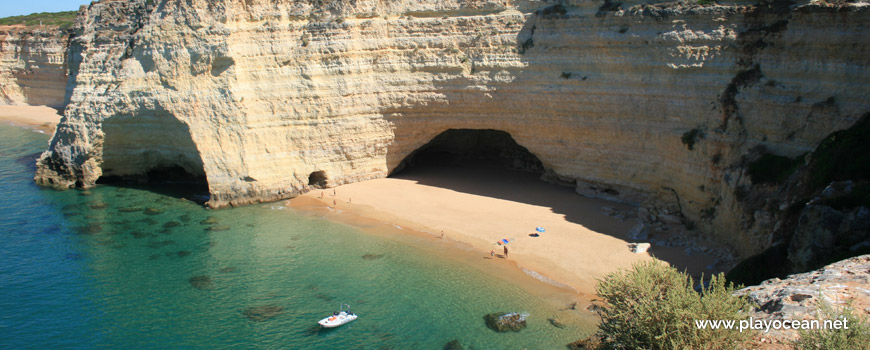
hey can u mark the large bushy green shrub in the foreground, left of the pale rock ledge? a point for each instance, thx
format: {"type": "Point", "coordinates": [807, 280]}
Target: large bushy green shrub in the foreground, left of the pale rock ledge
{"type": "Point", "coordinates": [653, 306]}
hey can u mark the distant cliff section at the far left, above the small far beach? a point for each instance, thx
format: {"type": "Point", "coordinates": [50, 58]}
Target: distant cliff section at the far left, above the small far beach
{"type": "Point", "coordinates": [32, 66]}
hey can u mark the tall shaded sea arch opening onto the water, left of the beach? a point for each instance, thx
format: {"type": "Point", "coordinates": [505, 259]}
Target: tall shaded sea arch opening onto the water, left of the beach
{"type": "Point", "coordinates": [154, 149]}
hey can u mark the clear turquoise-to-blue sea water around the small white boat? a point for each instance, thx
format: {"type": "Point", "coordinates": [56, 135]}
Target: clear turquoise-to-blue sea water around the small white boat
{"type": "Point", "coordinates": [129, 268]}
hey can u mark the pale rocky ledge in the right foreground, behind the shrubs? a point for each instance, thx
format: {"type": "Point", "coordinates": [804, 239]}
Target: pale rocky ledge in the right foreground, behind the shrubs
{"type": "Point", "coordinates": [798, 297]}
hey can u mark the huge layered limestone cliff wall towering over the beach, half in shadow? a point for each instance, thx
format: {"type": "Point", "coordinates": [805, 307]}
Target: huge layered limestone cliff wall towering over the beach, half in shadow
{"type": "Point", "coordinates": [649, 103]}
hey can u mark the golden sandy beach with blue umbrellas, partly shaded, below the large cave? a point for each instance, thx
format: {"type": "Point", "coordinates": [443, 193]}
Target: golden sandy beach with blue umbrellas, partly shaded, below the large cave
{"type": "Point", "coordinates": [479, 205]}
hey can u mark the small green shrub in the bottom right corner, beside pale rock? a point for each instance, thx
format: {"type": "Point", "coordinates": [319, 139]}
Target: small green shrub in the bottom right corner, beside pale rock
{"type": "Point", "coordinates": [856, 337]}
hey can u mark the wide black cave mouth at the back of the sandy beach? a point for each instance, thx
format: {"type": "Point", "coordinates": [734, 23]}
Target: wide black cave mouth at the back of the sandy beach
{"type": "Point", "coordinates": [484, 147]}
